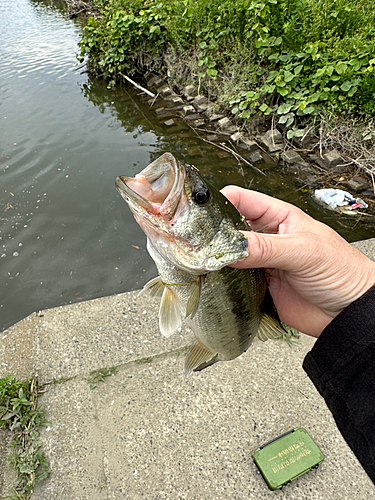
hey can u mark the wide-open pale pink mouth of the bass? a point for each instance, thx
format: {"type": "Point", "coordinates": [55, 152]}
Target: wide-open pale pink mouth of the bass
{"type": "Point", "coordinates": [156, 190]}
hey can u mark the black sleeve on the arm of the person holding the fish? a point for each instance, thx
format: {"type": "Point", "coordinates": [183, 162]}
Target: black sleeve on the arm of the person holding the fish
{"type": "Point", "coordinates": [342, 367]}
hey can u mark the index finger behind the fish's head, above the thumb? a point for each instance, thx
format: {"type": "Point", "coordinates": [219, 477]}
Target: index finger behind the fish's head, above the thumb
{"type": "Point", "coordinates": [259, 209]}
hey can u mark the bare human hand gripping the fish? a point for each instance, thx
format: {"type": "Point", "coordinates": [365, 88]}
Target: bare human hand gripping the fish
{"type": "Point", "coordinates": [315, 272]}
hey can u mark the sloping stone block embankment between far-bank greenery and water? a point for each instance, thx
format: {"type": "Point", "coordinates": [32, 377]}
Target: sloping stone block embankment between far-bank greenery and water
{"type": "Point", "coordinates": [302, 156]}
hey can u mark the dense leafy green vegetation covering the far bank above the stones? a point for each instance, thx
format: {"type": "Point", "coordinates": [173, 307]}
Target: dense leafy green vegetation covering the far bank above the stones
{"type": "Point", "coordinates": [295, 58]}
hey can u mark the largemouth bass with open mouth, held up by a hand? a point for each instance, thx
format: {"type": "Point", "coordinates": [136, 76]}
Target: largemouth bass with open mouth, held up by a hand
{"type": "Point", "coordinates": [193, 233]}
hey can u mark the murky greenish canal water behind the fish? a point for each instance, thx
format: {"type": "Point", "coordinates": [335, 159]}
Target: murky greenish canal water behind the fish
{"type": "Point", "coordinates": [65, 233]}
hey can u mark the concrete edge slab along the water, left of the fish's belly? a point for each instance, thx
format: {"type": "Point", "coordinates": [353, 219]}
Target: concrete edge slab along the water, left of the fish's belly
{"type": "Point", "coordinates": [78, 338]}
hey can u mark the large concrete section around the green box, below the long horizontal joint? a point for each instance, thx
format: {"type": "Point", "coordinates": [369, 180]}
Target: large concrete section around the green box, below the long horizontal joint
{"type": "Point", "coordinates": [151, 433]}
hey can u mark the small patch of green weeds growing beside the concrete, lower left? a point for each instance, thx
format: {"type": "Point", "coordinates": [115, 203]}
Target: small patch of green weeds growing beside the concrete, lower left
{"type": "Point", "coordinates": [19, 413]}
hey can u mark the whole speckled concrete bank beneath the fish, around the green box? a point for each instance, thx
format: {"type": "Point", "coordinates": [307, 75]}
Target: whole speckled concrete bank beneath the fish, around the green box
{"type": "Point", "coordinates": [148, 432]}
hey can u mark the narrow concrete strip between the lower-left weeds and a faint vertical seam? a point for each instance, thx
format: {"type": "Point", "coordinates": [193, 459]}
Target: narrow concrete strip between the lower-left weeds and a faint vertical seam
{"type": "Point", "coordinates": [73, 445]}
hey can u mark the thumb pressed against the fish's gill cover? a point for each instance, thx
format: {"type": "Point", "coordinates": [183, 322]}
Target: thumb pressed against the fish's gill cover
{"type": "Point", "coordinates": [281, 251]}
